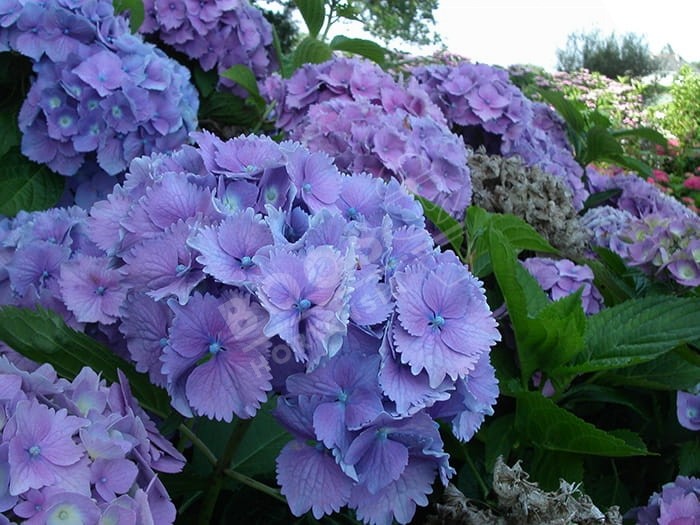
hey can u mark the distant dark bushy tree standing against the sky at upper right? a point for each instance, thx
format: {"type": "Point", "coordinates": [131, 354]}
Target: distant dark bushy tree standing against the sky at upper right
{"type": "Point", "coordinates": [610, 55]}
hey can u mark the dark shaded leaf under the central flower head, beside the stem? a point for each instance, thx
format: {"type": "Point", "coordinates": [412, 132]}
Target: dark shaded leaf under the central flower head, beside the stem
{"type": "Point", "coordinates": [262, 443]}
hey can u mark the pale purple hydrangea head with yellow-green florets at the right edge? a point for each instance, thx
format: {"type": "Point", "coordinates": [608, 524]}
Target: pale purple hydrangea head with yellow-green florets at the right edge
{"type": "Point", "coordinates": [646, 228]}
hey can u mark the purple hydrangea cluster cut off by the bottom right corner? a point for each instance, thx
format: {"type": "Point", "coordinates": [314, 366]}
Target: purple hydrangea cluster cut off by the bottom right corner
{"type": "Point", "coordinates": [678, 502]}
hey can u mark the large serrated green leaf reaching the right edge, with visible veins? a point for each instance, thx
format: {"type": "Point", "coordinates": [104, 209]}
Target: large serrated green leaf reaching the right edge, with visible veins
{"type": "Point", "coordinates": [636, 331]}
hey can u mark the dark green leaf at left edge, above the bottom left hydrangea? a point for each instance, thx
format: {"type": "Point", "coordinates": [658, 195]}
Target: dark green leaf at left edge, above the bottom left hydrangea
{"type": "Point", "coordinates": [43, 336]}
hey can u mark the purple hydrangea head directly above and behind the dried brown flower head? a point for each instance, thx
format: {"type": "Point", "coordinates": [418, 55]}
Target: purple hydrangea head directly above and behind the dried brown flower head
{"type": "Point", "coordinates": [486, 109]}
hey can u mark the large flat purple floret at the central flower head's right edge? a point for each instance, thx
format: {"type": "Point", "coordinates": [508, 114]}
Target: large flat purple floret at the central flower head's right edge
{"type": "Point", "coordinates": [444, 323]}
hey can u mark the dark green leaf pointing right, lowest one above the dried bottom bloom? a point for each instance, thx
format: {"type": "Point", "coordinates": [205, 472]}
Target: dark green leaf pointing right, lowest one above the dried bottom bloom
{"type": "Point", "coordinates": [548, 426]}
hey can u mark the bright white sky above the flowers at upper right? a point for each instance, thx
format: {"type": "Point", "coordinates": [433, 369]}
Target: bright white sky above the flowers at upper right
{"type": "Point", "coordinates": [506, 32]}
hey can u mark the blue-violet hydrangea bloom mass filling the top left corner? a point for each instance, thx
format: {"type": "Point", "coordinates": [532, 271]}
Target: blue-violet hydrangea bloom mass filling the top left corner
{"type": "Point", "coordinates": [97, 90]}
